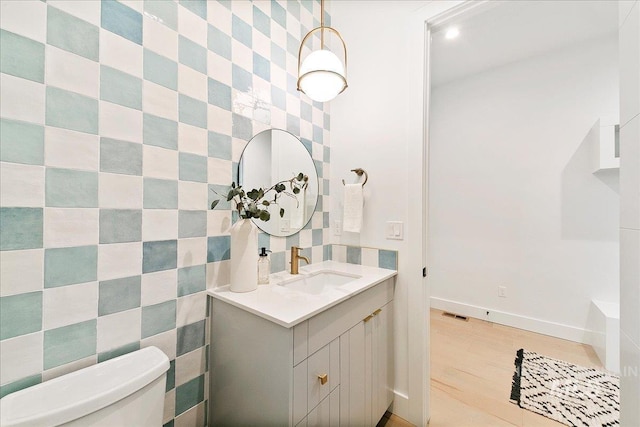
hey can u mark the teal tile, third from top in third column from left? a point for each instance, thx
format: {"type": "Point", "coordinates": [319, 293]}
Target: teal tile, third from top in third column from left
{"type": "Point", "coordinates": [120, 157]}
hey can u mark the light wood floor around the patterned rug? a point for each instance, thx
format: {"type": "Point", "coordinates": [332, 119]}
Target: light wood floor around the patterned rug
{"type": "Point", "coordinates": [471, 371]}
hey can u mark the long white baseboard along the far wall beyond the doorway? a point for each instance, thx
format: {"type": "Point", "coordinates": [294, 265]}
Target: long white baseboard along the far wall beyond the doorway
{"type": "Point", "coordinates": [544, 327]}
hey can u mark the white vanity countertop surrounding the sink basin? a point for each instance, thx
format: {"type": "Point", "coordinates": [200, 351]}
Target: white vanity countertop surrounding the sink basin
{"type": "Point", "coordinates": [288, 307]}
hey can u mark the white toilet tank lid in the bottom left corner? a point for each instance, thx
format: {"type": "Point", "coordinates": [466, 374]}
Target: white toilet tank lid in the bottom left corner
{"type": "Point", "coordinates": [82, 392]}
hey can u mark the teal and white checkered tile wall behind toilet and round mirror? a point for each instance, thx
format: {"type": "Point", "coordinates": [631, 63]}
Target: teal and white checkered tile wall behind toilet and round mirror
{"type": "Point", "coordinates": [117, 119]}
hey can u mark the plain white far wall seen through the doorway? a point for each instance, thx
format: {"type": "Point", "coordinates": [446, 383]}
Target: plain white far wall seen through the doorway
{"type": "Point", "coordinates": [513, 201]}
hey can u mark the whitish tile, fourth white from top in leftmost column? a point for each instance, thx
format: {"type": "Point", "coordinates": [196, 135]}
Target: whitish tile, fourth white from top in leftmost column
{"type": "Point", "coordinates": [22, 271]}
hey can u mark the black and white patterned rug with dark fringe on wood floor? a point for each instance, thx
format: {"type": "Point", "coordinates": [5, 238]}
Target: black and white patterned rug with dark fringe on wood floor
{"type": "Point", "coordinates": [567, 393]}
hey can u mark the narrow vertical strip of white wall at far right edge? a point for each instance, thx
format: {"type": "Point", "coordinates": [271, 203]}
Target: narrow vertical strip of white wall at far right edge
{"type": "Point", "coordinates": [629, 34]}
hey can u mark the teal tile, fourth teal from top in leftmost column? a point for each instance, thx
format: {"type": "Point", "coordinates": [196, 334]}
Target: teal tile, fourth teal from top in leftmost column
{"type": "Point", "coordinates": [20, 314]}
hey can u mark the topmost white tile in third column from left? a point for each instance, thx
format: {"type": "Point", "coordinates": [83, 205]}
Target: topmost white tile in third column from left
{"type": "Point", "coordinates": [120, 53]}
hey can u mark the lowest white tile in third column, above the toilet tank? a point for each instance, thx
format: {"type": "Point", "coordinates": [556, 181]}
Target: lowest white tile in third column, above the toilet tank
{"type": "Point", "coordinates": [116, 330]}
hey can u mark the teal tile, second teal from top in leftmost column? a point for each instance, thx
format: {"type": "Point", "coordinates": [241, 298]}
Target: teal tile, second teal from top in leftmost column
{"type": "Point", "coordinates": [21, 142]}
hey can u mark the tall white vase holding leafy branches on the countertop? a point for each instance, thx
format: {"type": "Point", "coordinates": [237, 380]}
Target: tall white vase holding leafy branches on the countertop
{"type": "Point", "coordinates": [244, 256]}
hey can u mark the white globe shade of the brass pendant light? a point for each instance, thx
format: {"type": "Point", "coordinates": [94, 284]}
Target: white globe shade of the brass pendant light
{"type": "Point", "coordinates": [322, 76]}
